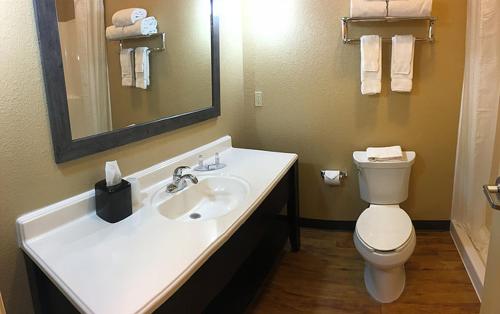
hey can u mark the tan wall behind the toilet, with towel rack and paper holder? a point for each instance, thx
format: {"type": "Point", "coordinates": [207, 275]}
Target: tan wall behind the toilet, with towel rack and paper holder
{"type": "Point", "coordinates": [313, 106]}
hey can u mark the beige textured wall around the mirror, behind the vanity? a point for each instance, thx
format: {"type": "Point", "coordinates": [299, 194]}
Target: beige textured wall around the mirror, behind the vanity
{"type": "Point", "coordinates": [30, 179]}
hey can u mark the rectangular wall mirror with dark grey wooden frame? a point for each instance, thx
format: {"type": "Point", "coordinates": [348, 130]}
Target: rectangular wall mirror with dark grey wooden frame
{"type": "Point", "coordinates": [112, 79]}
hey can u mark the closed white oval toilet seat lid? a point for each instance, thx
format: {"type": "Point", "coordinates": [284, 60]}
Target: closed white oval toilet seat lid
{"type": "Point", "coordinates": [384, 228]}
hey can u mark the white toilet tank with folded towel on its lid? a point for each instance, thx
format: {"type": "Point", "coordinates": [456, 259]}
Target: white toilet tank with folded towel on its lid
{"type": "Point", "coordinates": [384, 182]}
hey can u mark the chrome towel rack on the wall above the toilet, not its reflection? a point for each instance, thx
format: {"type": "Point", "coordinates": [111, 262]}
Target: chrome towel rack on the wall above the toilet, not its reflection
{"type": "Point", "coordinates": [346, 20]}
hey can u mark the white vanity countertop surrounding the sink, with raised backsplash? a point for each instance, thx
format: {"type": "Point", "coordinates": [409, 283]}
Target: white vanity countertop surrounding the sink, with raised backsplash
{"type": "Point", "coordinates": [135, 265]}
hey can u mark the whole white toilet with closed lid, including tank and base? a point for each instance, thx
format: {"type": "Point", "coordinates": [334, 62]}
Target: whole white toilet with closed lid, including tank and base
{"type": "Point", "coordinates": [384, 234]}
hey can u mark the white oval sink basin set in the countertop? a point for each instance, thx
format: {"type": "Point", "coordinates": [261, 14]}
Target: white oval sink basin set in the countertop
{"type": "Point", "coordinates": [212, 197]}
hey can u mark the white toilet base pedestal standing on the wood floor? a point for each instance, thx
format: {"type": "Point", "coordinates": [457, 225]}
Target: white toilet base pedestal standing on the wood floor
{"type": "Point", "coordinates": [385, 285]}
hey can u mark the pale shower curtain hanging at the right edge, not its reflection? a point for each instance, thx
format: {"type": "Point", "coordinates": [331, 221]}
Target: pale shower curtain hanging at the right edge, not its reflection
{"type": "Point", "coordinates": [478, 121]}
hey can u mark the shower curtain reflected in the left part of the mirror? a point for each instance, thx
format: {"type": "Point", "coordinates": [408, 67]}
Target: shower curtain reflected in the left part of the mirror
{"type": "Point", "coordinates": [90, 27]}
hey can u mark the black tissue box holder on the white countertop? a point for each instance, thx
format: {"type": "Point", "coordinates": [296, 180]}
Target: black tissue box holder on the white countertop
{"type": "Point", "coordinates": [113, 203]}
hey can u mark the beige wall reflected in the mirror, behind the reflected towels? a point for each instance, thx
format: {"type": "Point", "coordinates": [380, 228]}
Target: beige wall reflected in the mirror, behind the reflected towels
{"type": "Point", "coordinates": [180, 75]}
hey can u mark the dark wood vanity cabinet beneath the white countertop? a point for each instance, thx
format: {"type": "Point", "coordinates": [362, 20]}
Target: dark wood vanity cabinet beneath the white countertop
{"type": "Point", "coordinates": [229, 280]}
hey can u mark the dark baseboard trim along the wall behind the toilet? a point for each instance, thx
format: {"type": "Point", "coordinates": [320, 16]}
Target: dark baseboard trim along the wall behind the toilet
{"type": "Point", "coordinates": [349, 225]}
